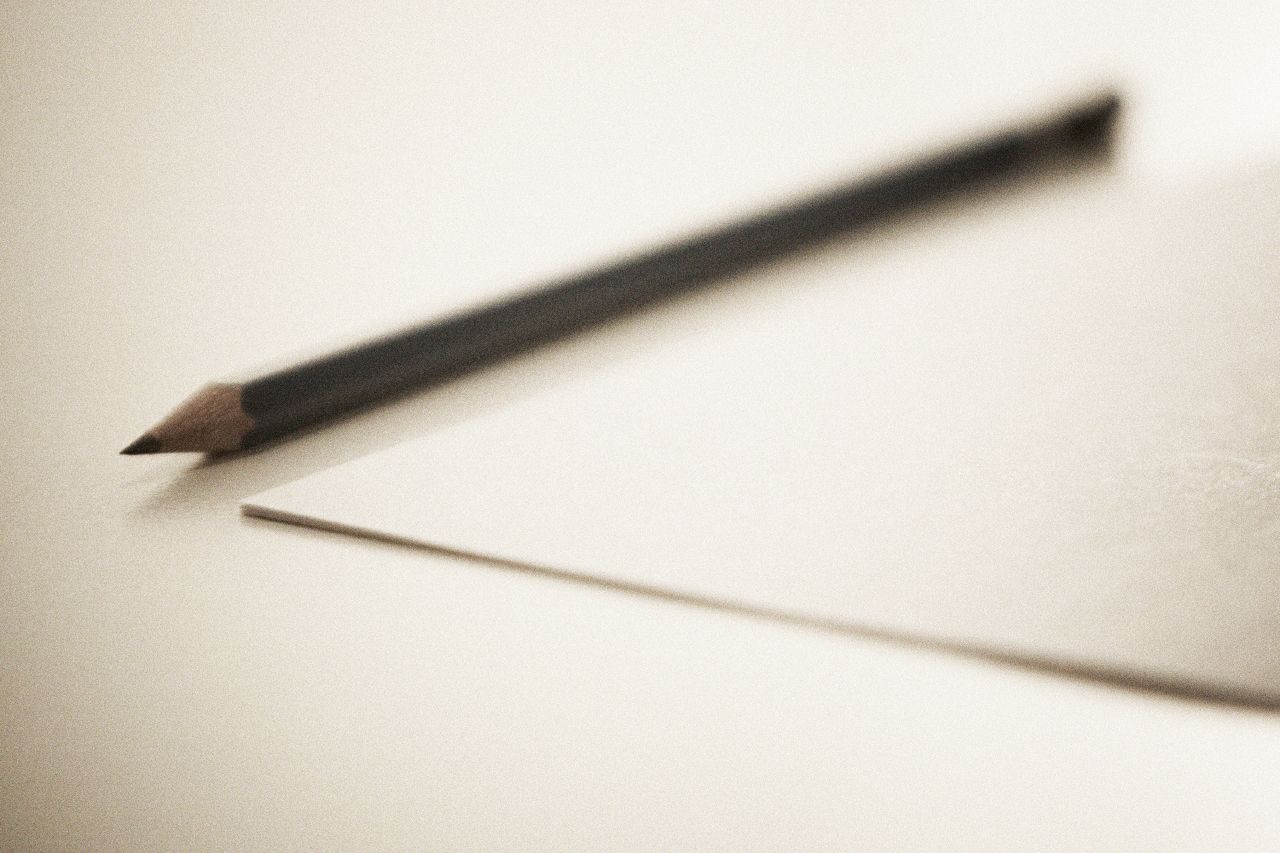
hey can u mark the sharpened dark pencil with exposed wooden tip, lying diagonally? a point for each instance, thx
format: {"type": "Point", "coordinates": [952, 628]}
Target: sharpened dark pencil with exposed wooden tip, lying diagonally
{"type": "Point", "coordinates": [228, 417]}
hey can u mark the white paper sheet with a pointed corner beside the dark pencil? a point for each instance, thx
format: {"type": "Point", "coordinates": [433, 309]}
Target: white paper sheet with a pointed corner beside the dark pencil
{"type": "Point", "coordinates": [1044, 431]}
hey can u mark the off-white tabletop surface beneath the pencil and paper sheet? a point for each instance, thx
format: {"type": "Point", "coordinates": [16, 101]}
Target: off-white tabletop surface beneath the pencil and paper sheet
{"type": "Point", "coordinates": [188, 190]}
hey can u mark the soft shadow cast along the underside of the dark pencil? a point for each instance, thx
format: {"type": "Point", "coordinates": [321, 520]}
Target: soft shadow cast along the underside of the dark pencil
{"type": "Point", "coordinates": [217, 481]}
